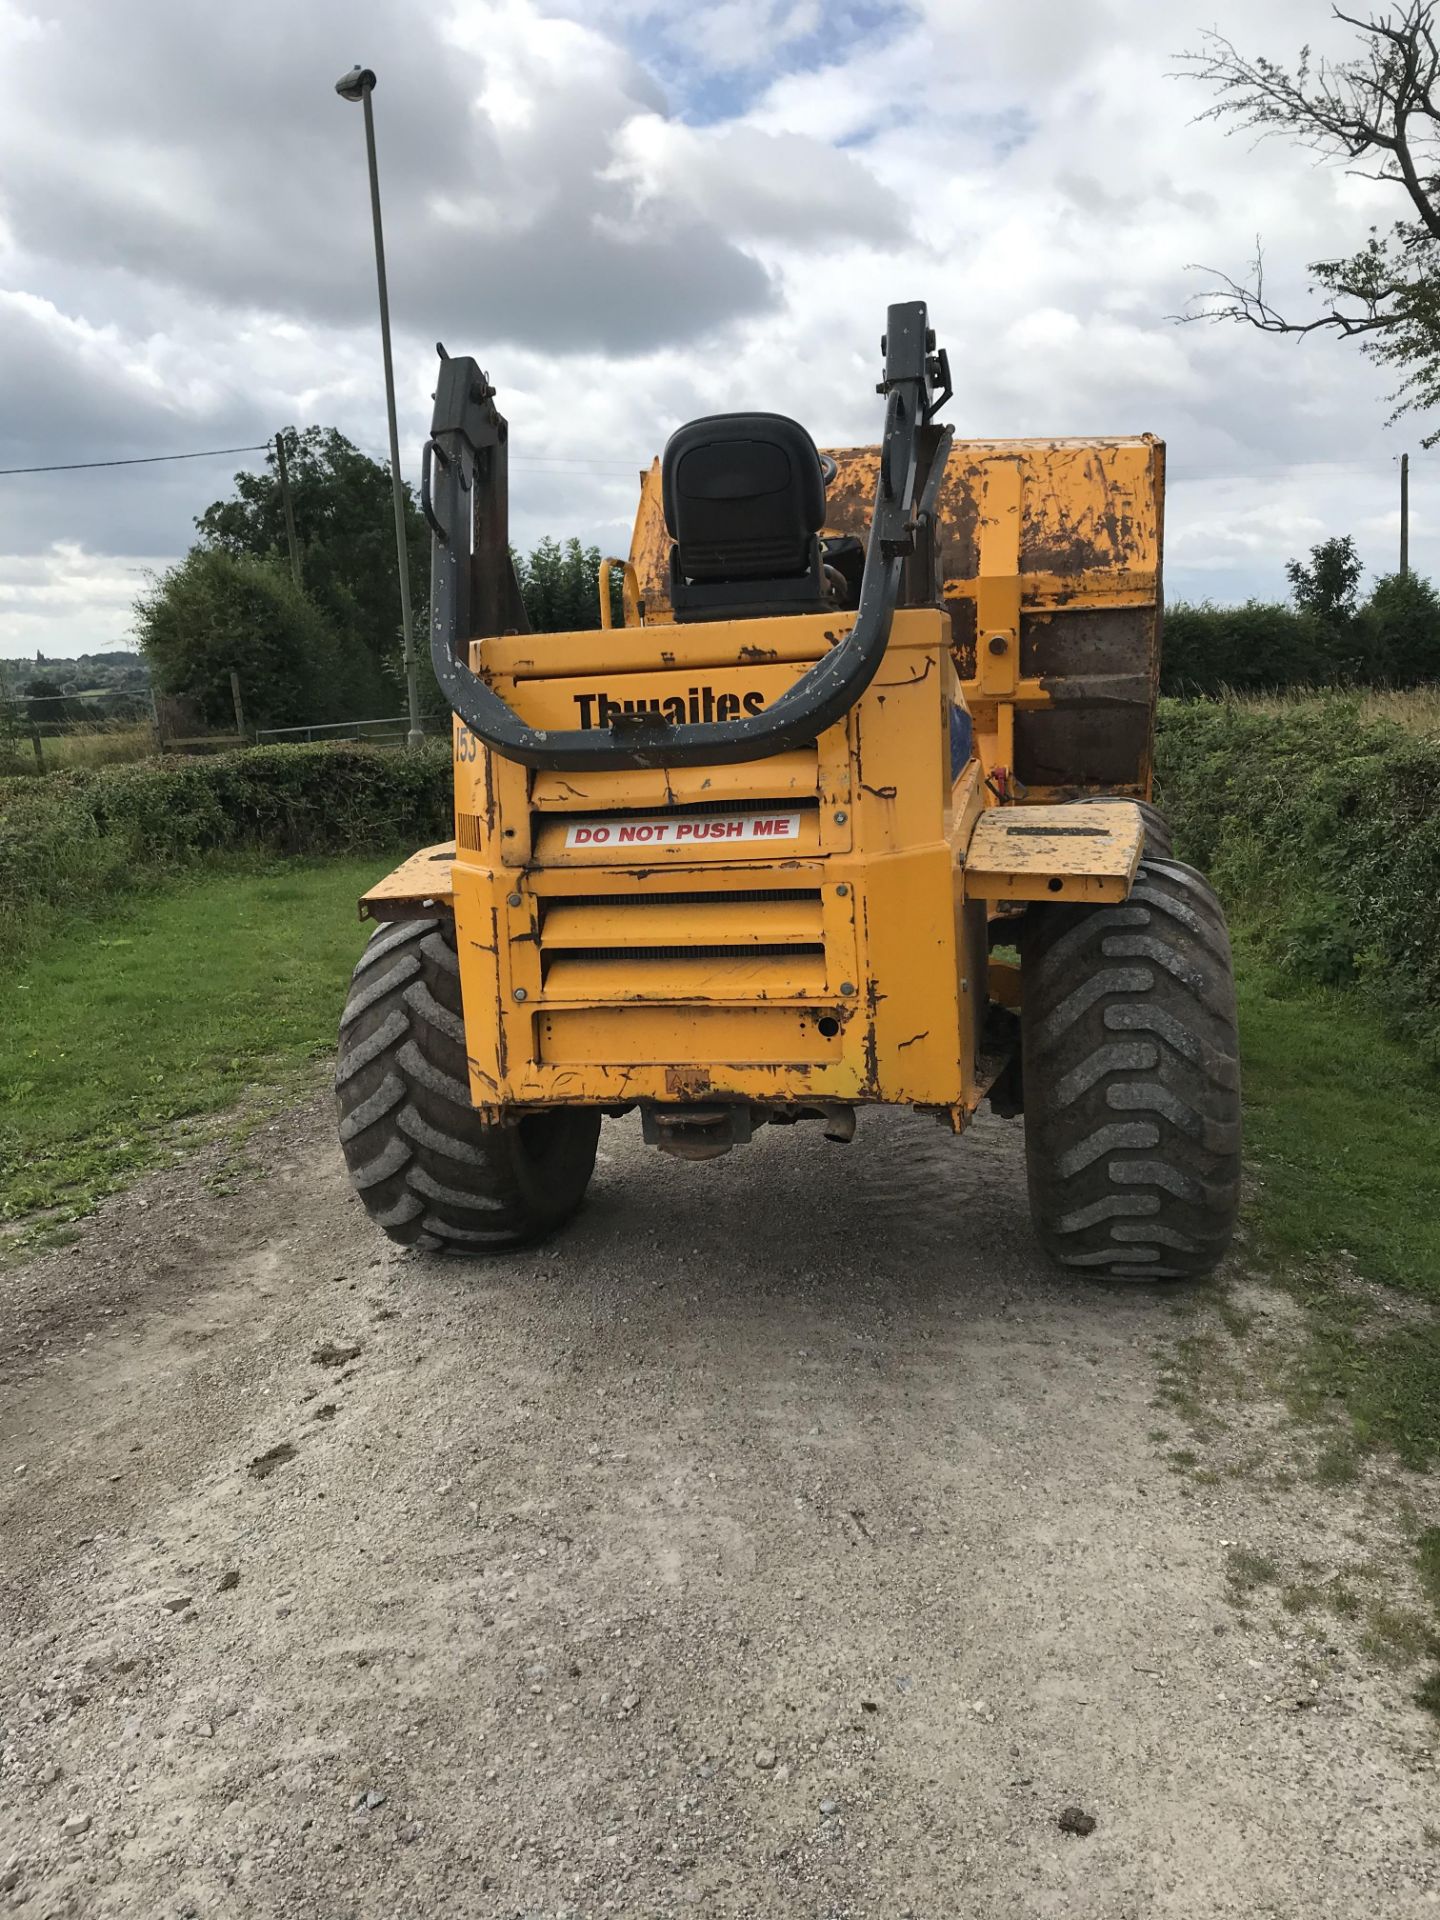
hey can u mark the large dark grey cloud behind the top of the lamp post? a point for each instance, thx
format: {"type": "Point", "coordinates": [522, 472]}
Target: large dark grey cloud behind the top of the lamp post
{"type": "Point", "coordinates": [216, 160]}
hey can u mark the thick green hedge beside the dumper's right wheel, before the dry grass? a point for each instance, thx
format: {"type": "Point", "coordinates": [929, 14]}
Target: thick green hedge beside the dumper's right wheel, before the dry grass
{"type": "Point", "coordinates": [1322, 834]}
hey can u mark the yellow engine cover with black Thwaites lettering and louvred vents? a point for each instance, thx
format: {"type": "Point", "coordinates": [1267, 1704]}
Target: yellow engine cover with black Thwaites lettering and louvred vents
{"type": "Point", "coordinates": [780, 930]}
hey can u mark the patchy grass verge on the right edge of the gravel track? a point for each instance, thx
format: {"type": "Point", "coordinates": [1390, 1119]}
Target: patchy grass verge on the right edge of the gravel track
{"type": "Point", "coordinates": [1343, 1212]}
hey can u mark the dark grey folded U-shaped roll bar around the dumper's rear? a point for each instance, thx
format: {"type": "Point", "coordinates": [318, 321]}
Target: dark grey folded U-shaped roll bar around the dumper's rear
{"type": "Point", "coordinates": [466, 462]}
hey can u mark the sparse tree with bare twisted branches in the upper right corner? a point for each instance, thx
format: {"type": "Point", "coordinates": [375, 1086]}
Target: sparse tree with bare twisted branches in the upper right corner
{"type": "Point", "coordinates": [1378, 114]}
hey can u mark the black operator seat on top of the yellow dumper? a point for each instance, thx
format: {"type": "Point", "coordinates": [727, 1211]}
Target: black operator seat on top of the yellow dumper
{"type": "Point", "coordinates": [744, 502]}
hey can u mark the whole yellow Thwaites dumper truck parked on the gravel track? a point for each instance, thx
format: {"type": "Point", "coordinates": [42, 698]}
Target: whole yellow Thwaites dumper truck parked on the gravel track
{"type": "Point", "coordinates": [853, 809]}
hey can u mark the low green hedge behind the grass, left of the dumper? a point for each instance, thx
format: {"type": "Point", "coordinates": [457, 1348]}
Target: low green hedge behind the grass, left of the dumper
{"type": "Point", "coordinates": [76, 840]}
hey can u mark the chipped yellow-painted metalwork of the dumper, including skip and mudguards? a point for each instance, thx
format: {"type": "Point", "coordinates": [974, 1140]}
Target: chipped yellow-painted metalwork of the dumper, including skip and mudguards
{"type": "Point", "coordinates": [852, 959]}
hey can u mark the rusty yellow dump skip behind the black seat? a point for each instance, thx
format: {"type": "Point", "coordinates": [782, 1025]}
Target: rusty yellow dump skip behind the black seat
{"type": "Point", "coordinates": [1059, 537]}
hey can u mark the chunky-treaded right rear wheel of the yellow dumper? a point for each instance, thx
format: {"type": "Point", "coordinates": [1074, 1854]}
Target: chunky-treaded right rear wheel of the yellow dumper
{"type": "Point", "coordinates": [1132, 1078]}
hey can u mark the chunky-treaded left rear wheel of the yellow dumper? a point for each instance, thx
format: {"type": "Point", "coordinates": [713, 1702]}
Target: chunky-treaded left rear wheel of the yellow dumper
{"type": "Point", "coordinates": [427, 1166]}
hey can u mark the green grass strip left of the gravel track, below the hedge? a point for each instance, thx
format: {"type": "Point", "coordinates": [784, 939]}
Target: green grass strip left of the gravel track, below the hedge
{"type": "Point", "coordinates": [210, 994]}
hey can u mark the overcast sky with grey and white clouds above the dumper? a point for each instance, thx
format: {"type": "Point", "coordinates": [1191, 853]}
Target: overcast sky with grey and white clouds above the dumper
{"type": "Point", "coordinates": [633, 214]}
